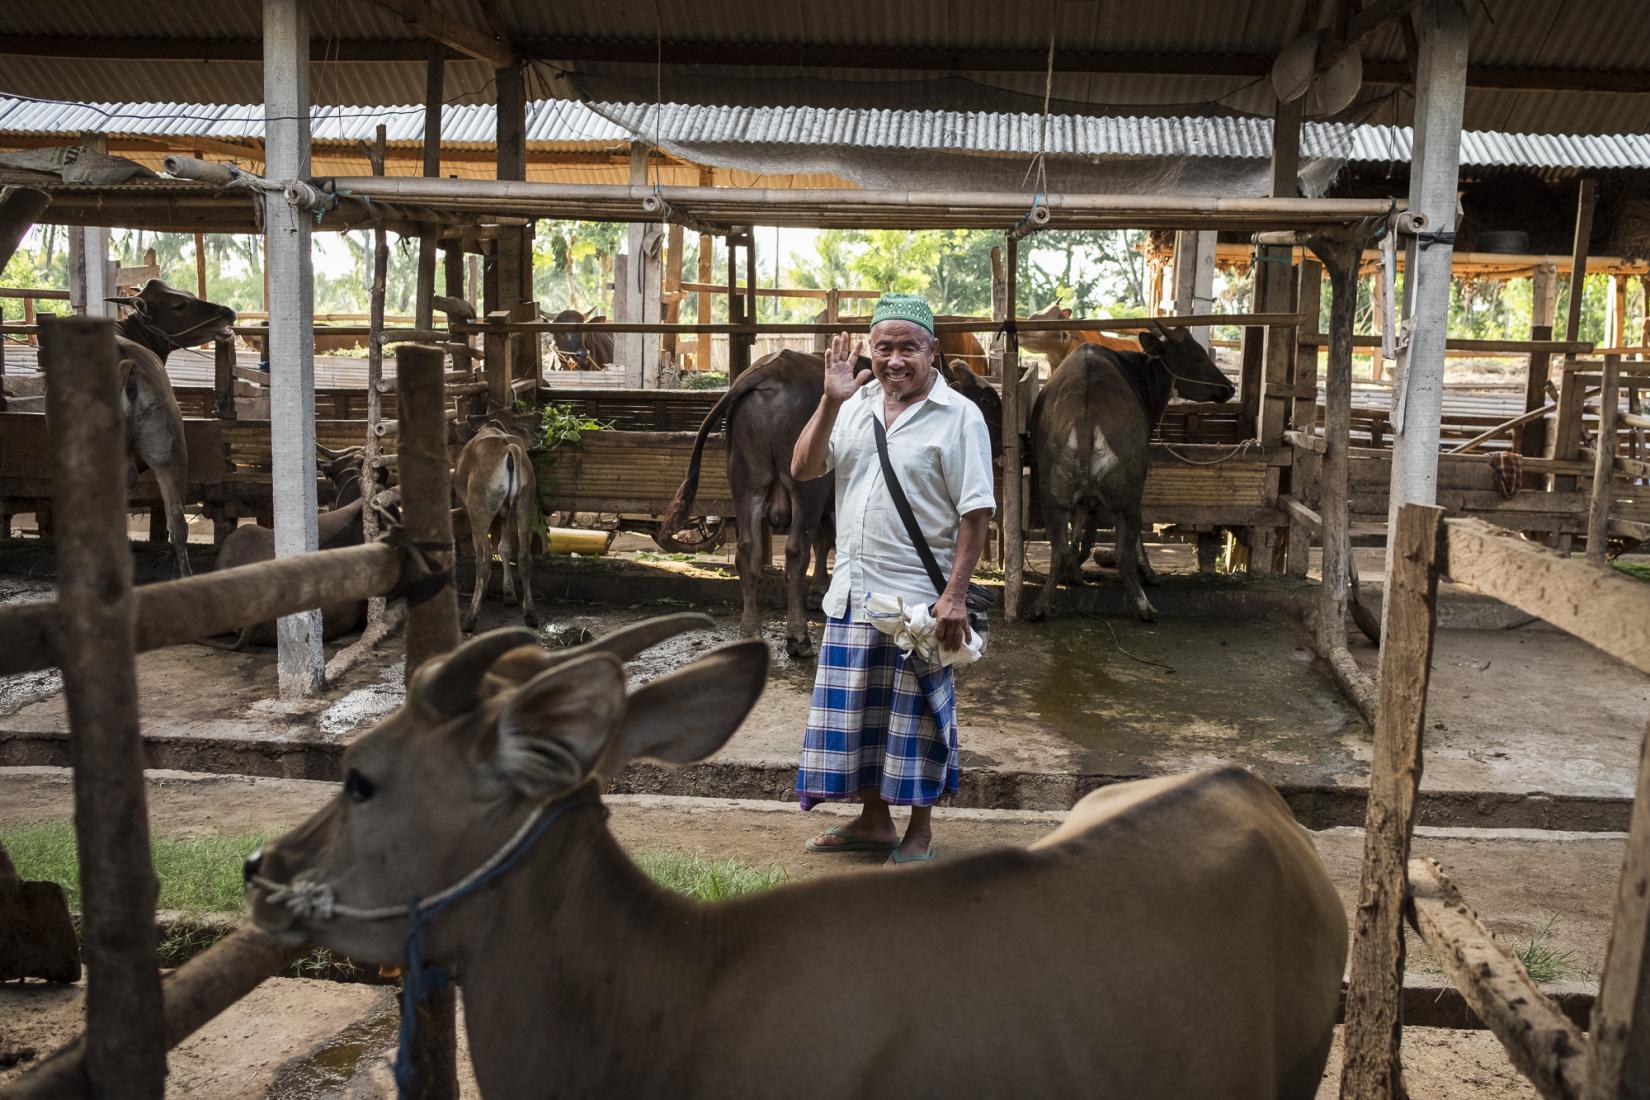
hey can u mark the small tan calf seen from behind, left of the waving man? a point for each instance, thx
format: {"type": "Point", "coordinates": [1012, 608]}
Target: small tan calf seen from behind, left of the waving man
{"type": "Point", "coordinates": [499, 496]}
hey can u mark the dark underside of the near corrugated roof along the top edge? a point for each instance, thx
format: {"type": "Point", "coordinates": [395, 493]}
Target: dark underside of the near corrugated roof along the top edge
{"type": "Point", "coordinates": [1593, 37]}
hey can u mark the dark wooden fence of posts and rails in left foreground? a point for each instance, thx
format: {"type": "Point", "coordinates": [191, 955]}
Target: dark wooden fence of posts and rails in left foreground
{"type": "Point", "coordinates": [133, 1020]}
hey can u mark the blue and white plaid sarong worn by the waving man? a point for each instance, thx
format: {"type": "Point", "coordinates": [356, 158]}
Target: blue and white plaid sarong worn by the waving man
{"type": "Point", "coordinates": [877, 722]}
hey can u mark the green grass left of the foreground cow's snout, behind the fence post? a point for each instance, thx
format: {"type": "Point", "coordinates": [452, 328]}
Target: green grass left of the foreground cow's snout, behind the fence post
{"type": "Point", "coordinates": [197, 873]}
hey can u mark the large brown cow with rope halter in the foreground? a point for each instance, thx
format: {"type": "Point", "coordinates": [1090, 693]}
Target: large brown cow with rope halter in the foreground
{"type": "Point", "coordinates": [1176, 938]}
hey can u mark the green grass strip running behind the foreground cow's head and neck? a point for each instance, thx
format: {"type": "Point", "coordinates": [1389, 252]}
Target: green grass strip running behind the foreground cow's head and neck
{"type": "Point", "coordinates": [202, 875]}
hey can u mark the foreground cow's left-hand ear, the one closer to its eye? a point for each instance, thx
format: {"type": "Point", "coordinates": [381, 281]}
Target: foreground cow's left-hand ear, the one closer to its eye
{"type": "Point", "coordinates": [555, 728]}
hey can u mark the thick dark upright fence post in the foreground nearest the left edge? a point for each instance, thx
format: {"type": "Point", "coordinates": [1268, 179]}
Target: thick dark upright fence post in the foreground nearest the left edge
{"type": "Point", "coordinates": [126, 1048]}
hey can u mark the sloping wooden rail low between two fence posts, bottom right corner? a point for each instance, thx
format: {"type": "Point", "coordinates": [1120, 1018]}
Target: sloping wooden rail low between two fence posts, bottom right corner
{"type": "Point", "coordinates": [1542, 1043]}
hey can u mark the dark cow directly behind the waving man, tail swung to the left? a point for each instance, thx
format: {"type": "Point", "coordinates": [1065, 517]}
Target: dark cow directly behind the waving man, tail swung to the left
{"type": "Point", "coordinates": [766, 410]}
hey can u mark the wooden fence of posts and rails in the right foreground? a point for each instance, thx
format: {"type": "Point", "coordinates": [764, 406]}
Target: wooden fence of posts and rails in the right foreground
{"type": "Point", "coordinates": [1605, 609]}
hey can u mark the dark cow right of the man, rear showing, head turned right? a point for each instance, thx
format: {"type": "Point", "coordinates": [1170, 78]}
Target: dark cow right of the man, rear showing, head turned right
{"type": "Point", "coordinates": [1091, 431]}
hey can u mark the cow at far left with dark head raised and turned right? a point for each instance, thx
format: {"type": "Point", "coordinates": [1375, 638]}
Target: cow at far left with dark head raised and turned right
{"type": "Point", "coordinates": [161, 319]}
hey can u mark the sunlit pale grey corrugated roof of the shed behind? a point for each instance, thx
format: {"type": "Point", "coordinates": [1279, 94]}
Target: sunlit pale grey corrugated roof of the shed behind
{"type": "Point", "coordinates": [573, 126]}
